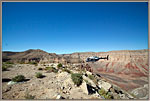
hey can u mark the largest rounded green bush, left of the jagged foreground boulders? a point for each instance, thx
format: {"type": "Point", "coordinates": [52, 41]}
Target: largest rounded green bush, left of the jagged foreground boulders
{"type": "Point", "coordinates": [77, 78]}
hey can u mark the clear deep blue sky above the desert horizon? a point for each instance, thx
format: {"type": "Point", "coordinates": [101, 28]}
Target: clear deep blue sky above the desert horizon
{"type": "Point", "coordinates": [74, 27]}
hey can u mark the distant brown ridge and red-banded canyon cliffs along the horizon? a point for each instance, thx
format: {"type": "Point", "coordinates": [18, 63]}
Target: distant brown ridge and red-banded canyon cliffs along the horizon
{"type": "Point", "coordinates": [133, 62]}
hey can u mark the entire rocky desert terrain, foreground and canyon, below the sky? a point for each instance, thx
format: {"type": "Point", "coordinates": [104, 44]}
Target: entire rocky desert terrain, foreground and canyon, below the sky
{"type": "Point", "coordinates": [124, 75]}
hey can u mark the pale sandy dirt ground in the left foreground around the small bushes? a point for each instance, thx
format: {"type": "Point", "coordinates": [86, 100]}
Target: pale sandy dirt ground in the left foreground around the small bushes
{"type": "Point", "coordinates": [41, 88]}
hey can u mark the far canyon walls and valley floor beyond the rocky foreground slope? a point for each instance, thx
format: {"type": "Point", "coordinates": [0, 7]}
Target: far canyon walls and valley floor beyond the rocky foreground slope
{"type": "Point", "coordinates": [127, 69]}
